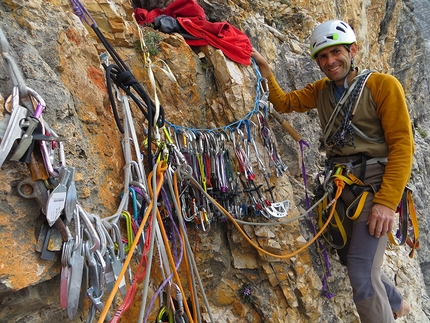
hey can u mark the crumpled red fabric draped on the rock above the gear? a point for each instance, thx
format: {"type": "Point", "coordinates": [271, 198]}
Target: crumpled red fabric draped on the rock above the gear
{"type": "Point", "coordinates": [230, 40]}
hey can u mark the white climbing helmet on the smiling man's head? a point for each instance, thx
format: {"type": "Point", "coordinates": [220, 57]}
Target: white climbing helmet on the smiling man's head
{"type": "Point", "coordinates": [330, 33]}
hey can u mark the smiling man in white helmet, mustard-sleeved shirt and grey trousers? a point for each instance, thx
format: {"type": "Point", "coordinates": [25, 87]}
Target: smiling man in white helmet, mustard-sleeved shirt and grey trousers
{"type": "Point", "coordinates": [366, 128]}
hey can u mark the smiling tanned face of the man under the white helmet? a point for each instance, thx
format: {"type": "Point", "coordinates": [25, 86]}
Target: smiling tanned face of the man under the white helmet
{"type": "Point", "coordinates": [335, 62]}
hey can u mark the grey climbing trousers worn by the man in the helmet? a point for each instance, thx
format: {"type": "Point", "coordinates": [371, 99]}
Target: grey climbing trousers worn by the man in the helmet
{"type": "Point", "coordinates": [375, 296]}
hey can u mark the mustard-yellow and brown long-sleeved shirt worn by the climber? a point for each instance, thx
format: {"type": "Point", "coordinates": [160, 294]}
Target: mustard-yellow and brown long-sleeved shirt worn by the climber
{"type": "Point", "coordinates": [382, 113]}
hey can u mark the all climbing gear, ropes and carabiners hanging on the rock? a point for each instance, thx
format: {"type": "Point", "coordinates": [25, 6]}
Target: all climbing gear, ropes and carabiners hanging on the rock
{"type": "Point", "coordinates": [195, 176]}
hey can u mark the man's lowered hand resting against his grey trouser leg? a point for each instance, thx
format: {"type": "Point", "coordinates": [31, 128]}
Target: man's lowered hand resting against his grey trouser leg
{"type": "Point", "coordinates": [381, 220]}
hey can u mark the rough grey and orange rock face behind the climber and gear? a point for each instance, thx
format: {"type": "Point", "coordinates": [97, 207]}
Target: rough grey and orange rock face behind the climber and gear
{"type": "Point", "coordinates": [58, 57]}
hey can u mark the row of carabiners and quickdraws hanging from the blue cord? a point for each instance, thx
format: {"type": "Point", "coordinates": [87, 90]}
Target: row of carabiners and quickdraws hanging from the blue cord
{"type": "Point", "coordinates": [222, 162]}
